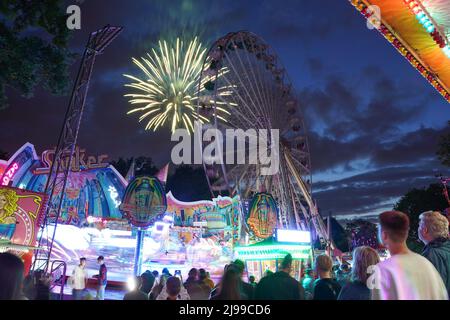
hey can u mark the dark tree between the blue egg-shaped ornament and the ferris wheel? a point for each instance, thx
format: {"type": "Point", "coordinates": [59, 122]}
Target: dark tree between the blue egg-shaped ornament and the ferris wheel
{"type": "Point", "coordinates": [188, 184]}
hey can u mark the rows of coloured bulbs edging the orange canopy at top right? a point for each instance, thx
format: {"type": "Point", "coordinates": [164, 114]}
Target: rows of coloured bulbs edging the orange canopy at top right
{"type": "Point", "coordinates": [397, 43]}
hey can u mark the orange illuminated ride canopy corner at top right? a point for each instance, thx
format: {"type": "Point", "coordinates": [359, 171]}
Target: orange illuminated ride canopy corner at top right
{"type": "Point", "coordinates": [415, 37]}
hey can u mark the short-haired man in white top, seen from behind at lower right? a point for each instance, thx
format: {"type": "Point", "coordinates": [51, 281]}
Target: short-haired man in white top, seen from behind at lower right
{"type": "Point", "coordinates": [405, 275]}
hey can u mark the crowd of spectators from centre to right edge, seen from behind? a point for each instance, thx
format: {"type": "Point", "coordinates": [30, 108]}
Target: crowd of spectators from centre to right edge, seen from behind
{"type": "Point", "coordinates": [405, 275]}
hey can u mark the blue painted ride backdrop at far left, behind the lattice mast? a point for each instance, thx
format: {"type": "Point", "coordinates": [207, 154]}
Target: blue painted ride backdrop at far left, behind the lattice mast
{"type": "Point", "coordinates": [94, 188]}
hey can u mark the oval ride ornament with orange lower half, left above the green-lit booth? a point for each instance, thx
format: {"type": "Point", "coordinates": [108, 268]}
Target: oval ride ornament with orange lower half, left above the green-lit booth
{"type": "Point", "coordinates": [262, 218]}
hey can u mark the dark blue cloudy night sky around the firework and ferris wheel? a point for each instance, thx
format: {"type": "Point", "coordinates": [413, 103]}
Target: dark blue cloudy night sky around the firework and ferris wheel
{"type": "Point", "coordinates": [373, 121]}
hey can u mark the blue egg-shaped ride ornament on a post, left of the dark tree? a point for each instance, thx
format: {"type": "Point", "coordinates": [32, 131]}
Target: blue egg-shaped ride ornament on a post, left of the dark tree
{"type": "Point", "coordinates": [144, 201]}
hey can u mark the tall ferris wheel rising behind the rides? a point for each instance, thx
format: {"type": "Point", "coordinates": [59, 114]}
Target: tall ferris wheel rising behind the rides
{"type": "Point", "coordinates": [242, 75]}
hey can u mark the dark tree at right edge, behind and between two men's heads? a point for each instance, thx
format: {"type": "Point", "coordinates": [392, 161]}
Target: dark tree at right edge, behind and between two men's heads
{"type": "Point", "coordinates": [416, 201]}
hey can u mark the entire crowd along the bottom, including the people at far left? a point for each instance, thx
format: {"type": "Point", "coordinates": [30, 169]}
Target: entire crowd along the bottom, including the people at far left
{"type": "Point", "coordinates": [405, 275]}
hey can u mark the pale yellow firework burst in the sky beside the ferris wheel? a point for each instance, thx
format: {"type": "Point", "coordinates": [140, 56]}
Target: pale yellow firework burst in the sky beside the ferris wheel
{"type": "Point", "coordinates": [168, 92]}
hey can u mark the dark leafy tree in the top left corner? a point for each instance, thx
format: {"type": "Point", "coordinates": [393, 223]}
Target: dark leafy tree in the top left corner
{"type": "Point", "coordinates": [33, 47]}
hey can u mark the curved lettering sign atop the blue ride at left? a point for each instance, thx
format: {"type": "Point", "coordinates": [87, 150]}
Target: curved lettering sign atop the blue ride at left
{"type": "Point", "coordinates": [79, 161]}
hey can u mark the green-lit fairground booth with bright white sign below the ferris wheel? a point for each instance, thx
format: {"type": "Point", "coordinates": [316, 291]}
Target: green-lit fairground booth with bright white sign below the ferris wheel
{"type": "Point", "coordinates": [268, 254]}
